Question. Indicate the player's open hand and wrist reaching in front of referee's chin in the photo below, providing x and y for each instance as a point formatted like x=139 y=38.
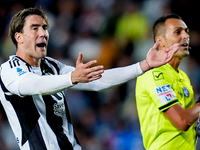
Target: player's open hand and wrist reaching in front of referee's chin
x=156 y=58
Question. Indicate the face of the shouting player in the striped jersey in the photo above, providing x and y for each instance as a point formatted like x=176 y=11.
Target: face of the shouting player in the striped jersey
x=35 y=37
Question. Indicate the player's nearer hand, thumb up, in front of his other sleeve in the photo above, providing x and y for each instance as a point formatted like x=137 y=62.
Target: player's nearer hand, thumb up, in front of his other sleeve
x=86 y=72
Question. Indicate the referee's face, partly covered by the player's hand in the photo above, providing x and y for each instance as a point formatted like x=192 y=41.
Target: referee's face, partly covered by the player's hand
x=177 y=32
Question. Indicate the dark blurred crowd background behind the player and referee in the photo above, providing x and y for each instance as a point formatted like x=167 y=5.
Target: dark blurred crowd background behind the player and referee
x=116 y=33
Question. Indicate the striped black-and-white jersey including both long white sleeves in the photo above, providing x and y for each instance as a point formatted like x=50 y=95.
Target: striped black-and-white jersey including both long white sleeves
x=35 y=104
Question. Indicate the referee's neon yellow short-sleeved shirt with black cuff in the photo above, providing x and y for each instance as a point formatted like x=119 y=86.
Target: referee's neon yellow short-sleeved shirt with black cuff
x=156 y=91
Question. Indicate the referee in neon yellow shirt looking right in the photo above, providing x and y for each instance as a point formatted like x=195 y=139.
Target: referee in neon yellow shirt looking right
x=164 y=95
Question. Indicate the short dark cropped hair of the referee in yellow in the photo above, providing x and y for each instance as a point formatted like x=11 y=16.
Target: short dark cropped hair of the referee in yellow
x=160 y=22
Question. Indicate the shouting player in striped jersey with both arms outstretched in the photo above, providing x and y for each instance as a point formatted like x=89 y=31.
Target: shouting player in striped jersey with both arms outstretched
x=32 y=84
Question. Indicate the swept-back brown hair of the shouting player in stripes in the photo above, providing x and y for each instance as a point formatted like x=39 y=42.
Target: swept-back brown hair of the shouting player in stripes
x=18 y=20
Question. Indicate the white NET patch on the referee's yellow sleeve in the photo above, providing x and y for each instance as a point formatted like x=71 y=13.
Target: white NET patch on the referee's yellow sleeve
x=165 y=93
